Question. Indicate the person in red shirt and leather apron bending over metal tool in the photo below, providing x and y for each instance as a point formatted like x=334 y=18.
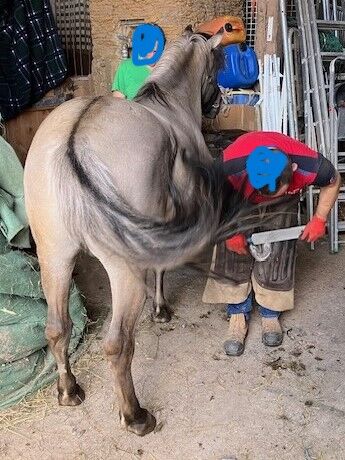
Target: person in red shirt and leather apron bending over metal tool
x=272 y=281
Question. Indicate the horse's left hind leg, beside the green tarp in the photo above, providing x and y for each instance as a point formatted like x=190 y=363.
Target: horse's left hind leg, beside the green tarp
x=57 y=262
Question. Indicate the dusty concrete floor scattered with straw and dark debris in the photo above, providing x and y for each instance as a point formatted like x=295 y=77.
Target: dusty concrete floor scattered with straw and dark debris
x=285 y=403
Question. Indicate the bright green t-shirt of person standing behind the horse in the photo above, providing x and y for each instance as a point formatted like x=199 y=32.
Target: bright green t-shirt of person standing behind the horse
x=129 y=78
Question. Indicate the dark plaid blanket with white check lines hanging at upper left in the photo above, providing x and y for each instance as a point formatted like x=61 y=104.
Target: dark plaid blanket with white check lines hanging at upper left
x=32 y=60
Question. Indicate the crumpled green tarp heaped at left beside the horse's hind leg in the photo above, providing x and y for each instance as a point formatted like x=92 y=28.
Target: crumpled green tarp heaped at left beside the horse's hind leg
x=25 y=362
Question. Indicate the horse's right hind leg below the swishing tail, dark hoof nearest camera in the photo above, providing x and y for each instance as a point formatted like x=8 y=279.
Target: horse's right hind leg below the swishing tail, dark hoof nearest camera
x=128 y=297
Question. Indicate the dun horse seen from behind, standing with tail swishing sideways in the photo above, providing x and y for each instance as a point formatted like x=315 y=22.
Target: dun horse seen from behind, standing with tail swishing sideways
x=134 y=184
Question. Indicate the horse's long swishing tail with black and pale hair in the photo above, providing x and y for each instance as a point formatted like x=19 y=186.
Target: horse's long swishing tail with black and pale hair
x=93 y=209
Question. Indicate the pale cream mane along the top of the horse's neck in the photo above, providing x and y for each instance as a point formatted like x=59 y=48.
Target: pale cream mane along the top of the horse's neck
x=168 y=71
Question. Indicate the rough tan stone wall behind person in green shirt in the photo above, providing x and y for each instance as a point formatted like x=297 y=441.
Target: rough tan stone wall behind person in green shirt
x=171 y=15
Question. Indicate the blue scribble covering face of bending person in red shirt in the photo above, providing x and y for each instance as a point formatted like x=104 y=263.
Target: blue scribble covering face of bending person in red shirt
x=264 y=166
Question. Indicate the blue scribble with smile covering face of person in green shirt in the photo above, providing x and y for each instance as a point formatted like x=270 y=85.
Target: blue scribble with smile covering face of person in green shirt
x=147 y=44
